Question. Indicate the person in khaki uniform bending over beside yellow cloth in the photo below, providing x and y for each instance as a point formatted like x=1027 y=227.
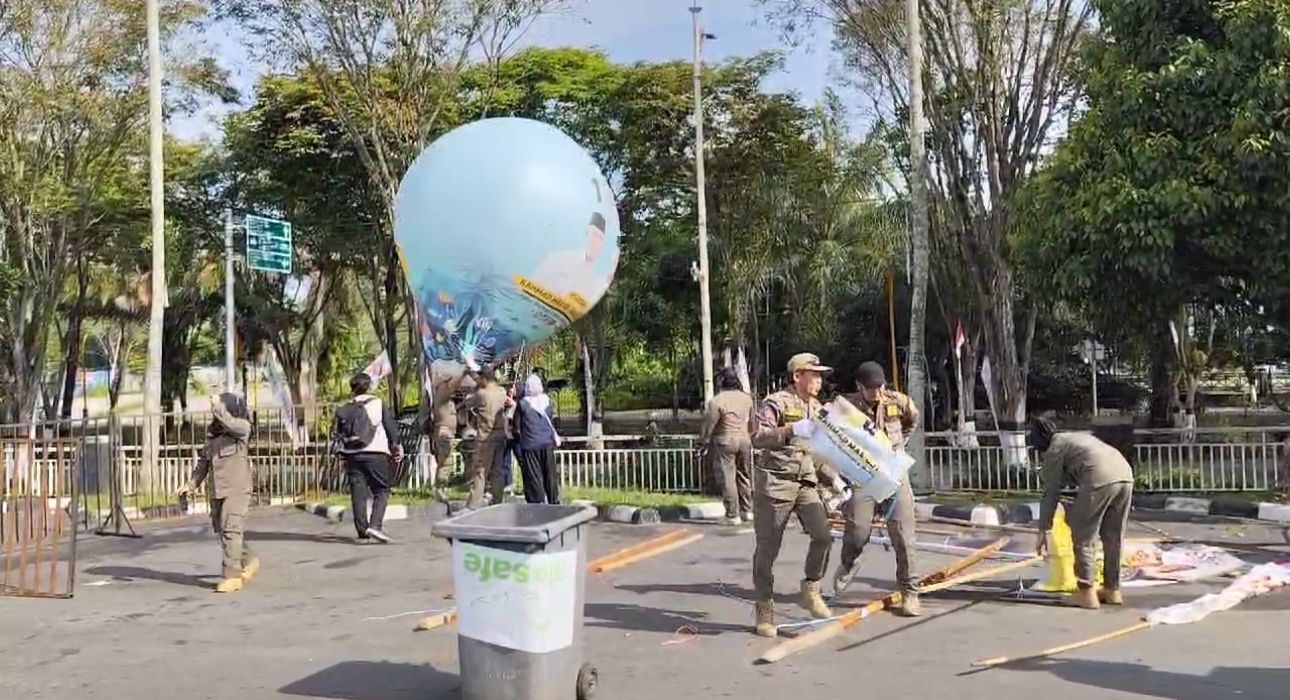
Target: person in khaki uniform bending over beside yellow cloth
x=1105 y=493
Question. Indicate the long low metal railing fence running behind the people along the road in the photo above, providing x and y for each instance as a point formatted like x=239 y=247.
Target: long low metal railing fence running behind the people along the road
x=295 y=465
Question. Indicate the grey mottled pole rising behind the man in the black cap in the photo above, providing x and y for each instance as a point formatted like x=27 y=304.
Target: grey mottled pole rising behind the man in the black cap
x=920 y=476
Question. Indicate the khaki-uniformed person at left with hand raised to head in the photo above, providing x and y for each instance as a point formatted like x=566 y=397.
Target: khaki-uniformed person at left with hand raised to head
x=226 y=463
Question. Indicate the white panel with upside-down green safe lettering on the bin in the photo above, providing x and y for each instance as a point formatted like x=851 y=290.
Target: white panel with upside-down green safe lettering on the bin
x=514 y=600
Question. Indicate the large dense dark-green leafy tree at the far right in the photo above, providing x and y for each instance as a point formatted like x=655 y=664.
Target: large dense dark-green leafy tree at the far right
x=1175 y=175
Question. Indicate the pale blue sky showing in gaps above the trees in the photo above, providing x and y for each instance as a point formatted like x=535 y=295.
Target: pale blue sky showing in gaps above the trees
x=628 y=30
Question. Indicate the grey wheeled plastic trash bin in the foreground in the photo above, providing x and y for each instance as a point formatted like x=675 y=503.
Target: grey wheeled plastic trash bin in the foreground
x=519 y=572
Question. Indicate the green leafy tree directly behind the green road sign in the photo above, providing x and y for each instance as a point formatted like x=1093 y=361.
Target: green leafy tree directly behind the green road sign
x=290 y=157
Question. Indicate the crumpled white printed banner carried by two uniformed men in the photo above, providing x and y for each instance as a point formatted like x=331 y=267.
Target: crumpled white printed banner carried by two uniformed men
x=848 y=440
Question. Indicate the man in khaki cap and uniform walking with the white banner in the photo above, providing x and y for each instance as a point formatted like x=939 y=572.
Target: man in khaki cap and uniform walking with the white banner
x=788 y=483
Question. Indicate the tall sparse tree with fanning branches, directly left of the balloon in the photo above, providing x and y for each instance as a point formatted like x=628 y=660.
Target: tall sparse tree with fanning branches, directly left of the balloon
x=390 y=70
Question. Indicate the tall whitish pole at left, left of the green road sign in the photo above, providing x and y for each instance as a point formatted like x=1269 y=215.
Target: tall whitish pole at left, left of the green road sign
x=157 y=316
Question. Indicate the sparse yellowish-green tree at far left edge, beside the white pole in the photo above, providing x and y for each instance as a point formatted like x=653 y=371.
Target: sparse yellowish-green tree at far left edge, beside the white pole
x=73 y=102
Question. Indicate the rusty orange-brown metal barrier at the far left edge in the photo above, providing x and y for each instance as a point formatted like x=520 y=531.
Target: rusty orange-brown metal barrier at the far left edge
x=38 y=514
